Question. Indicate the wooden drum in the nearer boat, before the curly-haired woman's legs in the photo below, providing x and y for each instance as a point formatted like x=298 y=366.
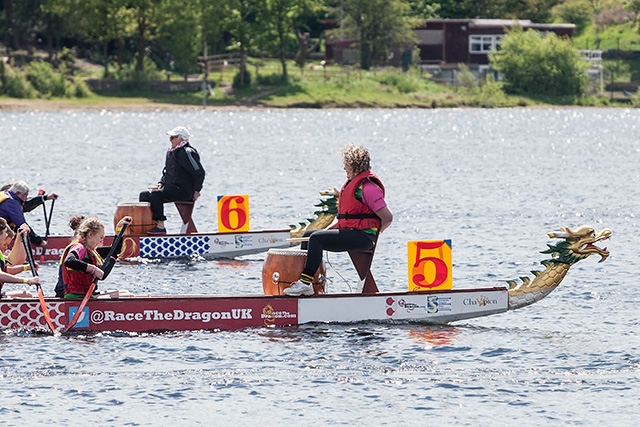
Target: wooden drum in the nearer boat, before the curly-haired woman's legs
x=283 y=266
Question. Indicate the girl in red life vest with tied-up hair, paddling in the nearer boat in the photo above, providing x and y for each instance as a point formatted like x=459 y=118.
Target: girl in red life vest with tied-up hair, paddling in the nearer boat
x=82 y=258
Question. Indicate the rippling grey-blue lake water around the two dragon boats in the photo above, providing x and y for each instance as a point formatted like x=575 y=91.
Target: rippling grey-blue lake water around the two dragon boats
x=493 y=181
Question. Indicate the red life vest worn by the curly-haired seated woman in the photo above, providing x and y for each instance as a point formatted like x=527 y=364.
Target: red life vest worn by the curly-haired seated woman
x=352 y=213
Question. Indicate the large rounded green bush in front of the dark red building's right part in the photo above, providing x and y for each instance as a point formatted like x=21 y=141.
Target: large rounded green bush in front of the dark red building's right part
x=540 y=65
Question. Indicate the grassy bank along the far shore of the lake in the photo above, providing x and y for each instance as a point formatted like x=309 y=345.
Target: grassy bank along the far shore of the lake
x=314 y=87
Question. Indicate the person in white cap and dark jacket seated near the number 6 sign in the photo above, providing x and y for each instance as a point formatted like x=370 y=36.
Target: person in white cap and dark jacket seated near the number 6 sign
x=182 y=178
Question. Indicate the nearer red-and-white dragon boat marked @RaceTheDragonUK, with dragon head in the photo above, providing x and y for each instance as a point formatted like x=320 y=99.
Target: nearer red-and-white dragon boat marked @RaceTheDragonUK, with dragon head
x=122 y=311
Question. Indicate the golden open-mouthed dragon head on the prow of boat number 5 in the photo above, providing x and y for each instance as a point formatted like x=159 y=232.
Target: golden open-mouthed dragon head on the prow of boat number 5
x=577 y=245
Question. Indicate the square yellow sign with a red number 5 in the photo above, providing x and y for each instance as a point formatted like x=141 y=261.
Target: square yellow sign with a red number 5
x=429 y=265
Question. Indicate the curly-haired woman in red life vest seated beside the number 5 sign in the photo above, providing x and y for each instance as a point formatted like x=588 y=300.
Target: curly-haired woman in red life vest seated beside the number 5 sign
x=362 y=215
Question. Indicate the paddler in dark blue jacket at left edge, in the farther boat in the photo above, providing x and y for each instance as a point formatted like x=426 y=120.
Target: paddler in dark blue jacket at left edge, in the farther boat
x=14 y=202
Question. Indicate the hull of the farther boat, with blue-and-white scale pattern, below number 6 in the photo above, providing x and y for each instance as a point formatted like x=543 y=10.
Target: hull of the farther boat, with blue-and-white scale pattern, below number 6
x=206 y=245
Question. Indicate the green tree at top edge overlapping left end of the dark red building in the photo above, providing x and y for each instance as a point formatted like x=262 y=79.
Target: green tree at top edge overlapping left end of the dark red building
x=378 y=25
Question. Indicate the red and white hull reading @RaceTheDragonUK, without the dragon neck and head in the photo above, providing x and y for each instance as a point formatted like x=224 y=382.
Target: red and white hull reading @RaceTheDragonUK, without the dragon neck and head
x=207 y=312
